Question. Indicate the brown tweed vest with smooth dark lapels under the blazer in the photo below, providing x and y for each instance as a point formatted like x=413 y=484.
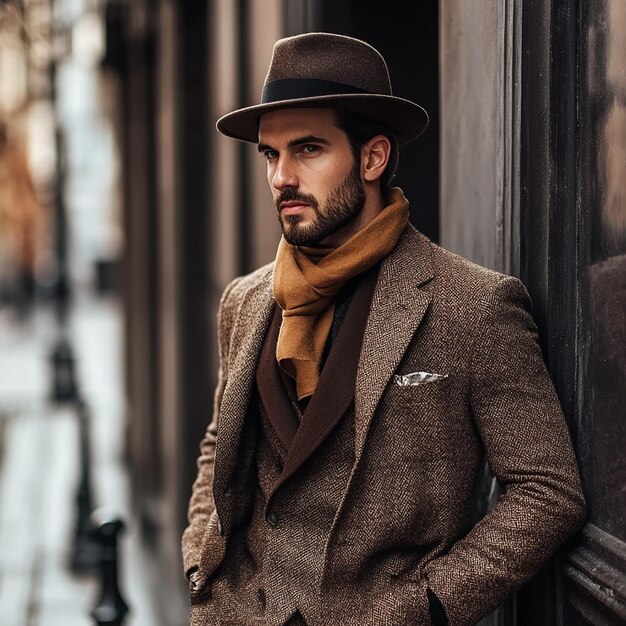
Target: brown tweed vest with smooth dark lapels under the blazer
x=262 y=578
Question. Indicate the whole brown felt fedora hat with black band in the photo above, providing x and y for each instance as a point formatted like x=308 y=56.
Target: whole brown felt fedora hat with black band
x=327 y=70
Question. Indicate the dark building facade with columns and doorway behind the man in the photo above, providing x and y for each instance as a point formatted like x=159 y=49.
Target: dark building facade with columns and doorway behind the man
x=522 y=170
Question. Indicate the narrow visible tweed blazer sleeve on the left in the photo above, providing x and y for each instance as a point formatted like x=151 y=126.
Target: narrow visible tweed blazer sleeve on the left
x=201 y=504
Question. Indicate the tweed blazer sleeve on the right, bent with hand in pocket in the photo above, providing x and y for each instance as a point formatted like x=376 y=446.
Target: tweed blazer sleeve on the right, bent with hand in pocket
x=528 y=446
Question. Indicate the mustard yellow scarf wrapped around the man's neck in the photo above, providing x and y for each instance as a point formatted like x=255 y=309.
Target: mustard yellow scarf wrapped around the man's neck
x=305 y=285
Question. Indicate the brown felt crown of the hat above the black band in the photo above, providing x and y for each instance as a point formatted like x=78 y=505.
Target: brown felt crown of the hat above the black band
x=329 y=57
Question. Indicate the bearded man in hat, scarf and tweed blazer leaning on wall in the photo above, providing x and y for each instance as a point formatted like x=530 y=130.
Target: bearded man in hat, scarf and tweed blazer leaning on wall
x=363 y=376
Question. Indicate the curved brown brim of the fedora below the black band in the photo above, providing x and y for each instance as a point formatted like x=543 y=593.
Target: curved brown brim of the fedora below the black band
x=405 y=118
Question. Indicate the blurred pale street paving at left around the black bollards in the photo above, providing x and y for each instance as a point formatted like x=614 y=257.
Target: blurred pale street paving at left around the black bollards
x=39 y=469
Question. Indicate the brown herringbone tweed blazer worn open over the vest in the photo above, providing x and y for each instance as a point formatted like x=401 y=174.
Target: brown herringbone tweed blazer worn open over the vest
x=402 y=522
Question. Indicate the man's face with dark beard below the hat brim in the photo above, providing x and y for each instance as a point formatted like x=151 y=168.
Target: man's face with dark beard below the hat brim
x=315 y=180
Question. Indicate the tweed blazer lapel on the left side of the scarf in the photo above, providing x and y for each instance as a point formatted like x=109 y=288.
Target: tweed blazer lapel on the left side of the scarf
x=249 y=330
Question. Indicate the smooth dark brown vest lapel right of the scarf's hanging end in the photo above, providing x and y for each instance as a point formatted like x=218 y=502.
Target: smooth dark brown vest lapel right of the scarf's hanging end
x=335 y=389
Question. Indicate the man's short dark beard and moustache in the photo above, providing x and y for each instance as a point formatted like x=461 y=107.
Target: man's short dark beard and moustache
x=340 y=211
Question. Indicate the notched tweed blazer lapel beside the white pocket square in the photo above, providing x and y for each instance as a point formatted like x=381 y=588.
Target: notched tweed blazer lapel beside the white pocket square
x=398 y=306
